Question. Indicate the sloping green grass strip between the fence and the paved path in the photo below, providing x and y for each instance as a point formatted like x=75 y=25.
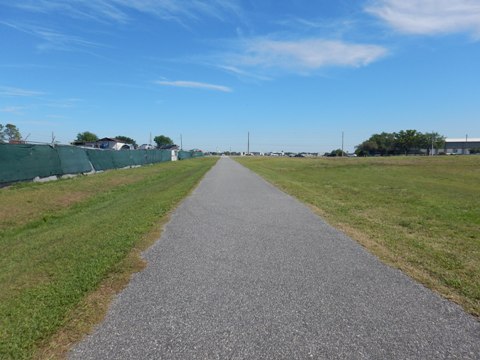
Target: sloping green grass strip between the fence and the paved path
x=66 y=247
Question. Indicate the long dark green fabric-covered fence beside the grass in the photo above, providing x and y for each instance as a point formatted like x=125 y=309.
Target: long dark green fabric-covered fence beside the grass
x=20 y=162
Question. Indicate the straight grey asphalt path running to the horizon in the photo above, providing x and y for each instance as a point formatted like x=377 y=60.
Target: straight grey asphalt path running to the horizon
x=244 y=271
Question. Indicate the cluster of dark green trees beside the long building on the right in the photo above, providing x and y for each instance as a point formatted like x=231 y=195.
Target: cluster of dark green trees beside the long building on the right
x=400 y=143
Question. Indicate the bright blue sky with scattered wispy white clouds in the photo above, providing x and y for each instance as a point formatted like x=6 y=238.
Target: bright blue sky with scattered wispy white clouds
x=295 y=74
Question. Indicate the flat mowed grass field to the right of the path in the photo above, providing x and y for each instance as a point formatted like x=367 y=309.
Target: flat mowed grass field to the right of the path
x=420 y=214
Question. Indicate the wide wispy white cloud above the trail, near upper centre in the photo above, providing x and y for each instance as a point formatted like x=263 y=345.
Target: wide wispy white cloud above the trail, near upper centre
x=302 y=56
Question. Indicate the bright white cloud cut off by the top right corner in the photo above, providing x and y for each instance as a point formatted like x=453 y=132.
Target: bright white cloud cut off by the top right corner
x=429 y=17
